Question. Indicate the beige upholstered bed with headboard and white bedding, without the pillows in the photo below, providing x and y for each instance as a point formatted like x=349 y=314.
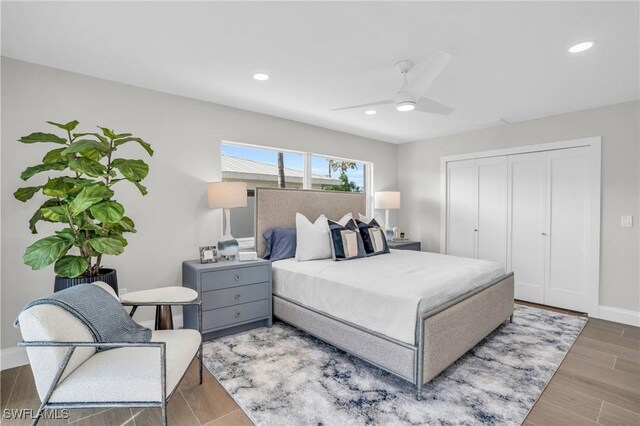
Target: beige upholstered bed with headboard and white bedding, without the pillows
x=378 y=308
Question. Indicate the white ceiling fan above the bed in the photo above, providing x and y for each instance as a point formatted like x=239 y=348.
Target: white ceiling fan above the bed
x=411 y=95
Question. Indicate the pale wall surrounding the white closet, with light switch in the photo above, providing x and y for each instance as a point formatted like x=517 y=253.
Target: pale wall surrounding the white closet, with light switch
x=619 y=126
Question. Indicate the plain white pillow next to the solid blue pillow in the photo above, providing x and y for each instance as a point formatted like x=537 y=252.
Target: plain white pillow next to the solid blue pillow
x=313 y=241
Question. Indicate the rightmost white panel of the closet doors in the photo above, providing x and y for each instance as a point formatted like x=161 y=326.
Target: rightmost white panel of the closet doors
x=567 y=241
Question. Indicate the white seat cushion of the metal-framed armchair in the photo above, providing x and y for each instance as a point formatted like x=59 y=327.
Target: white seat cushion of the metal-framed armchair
x=130 y=374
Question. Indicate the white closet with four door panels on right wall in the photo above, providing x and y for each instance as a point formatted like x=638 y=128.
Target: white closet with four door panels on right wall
x=534 y=212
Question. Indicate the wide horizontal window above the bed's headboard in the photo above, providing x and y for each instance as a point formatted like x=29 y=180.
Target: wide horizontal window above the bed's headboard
x=274 y=168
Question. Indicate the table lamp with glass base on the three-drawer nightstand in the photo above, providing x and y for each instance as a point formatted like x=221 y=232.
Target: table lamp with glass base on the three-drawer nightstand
x=226 y=196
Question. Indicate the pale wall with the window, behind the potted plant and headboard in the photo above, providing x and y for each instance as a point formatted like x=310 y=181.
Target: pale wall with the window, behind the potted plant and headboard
x=173 y=220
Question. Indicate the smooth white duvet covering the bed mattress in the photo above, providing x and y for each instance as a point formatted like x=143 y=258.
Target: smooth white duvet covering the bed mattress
x=382 y=293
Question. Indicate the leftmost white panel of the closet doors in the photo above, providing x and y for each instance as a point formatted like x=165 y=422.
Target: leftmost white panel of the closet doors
x=461 y=208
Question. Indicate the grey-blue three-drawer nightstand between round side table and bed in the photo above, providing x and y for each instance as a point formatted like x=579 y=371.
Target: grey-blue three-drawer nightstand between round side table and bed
x=236 y=296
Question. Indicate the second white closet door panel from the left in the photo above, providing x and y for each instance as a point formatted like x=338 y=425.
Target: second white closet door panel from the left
x=491 y=176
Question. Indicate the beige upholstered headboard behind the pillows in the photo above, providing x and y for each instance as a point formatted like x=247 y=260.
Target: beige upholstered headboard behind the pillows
x=276 y=208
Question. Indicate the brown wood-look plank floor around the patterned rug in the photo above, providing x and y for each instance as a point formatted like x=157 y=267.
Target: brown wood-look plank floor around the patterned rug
x=597 y=383
